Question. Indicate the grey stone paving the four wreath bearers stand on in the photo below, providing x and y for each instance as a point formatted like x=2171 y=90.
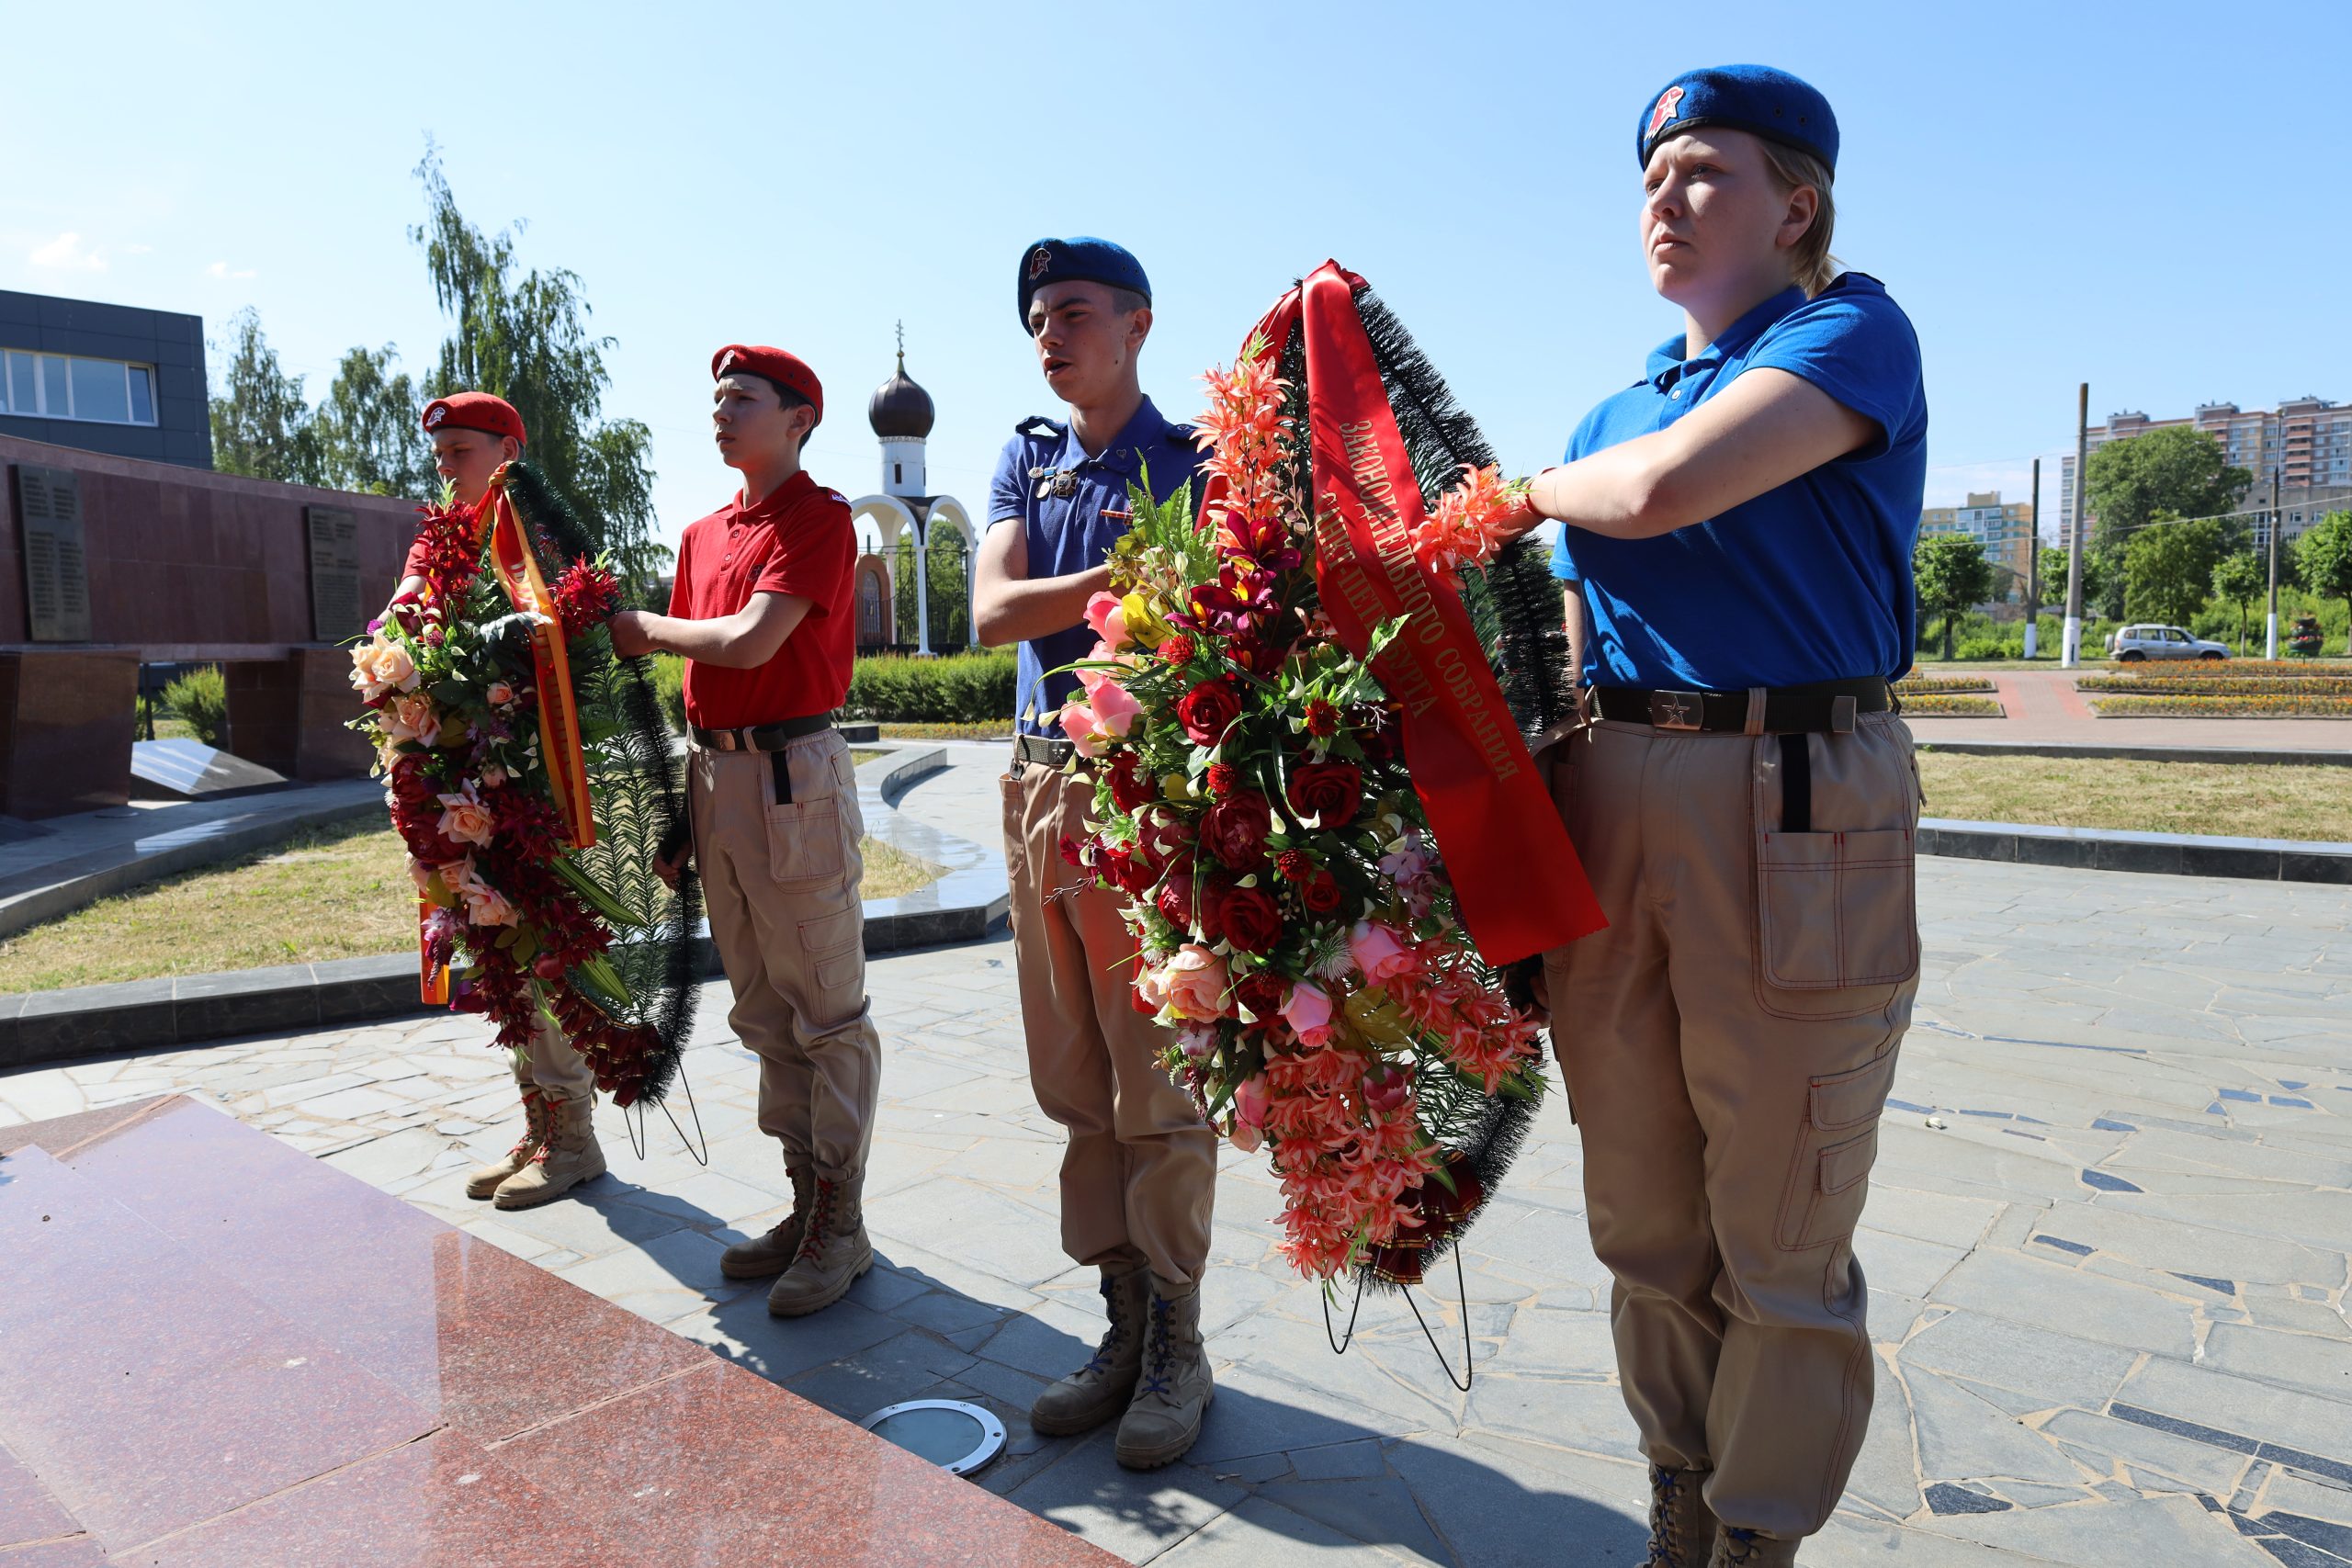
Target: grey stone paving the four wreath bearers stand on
x=2106 y=1247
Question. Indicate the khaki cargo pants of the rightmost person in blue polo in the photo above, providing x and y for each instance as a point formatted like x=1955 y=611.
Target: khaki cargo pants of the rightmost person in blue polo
x=1728 y=1045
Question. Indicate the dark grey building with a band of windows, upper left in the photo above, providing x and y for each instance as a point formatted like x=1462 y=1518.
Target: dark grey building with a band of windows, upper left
x=105 y=380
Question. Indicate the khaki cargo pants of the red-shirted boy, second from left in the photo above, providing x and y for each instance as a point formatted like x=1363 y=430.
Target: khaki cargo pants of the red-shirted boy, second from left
x=787 y=916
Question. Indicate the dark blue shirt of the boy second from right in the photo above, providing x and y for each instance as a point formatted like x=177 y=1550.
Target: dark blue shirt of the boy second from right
x=1074 y=532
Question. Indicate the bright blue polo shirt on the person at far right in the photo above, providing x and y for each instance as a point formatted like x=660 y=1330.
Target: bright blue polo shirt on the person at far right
x=1805 y=584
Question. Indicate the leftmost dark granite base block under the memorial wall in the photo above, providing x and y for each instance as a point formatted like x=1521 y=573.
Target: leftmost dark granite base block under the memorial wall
x=67 y=725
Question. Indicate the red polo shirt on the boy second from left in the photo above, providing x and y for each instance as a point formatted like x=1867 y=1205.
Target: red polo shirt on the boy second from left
x=794 y=542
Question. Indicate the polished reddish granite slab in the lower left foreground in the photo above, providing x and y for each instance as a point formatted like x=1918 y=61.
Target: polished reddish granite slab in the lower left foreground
x=218 y=1351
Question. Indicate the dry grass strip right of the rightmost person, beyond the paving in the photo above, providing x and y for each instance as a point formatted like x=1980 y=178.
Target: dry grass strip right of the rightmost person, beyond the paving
x=2243 y=800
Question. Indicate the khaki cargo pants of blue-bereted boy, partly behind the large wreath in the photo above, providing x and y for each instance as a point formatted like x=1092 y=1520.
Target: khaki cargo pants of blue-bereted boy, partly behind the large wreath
x=1140 y=1174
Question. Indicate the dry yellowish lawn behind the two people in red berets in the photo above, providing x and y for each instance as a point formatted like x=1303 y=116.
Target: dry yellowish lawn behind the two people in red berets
x=326 y=894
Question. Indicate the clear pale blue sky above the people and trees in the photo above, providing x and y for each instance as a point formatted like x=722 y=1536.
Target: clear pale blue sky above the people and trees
x=2134 y=196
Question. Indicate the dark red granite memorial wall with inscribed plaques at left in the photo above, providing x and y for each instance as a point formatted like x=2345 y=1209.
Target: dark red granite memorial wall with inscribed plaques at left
x=112 y=563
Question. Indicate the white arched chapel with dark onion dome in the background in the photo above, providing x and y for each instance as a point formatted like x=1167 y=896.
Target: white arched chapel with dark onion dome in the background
x=907 y=509
